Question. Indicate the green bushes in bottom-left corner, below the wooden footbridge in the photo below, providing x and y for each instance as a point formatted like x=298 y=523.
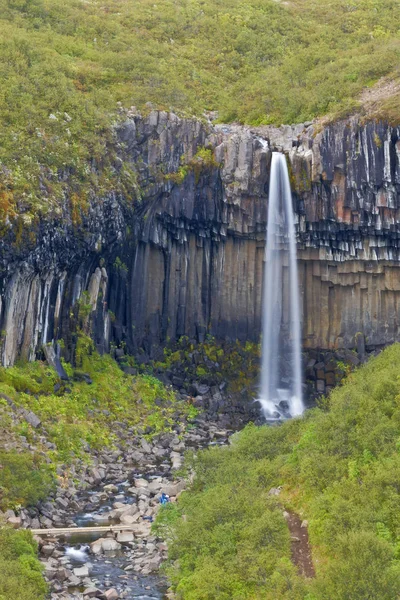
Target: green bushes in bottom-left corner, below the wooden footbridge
x=21 y=572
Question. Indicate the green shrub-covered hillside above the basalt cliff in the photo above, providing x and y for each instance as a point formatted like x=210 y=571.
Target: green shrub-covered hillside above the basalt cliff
x=64 y=66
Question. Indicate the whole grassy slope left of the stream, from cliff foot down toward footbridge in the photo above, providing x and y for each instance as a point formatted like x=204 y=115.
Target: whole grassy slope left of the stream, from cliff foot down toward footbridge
x=75 y=419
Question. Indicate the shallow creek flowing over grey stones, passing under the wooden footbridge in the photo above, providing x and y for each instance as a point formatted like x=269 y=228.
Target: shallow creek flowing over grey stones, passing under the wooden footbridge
x=112 y=565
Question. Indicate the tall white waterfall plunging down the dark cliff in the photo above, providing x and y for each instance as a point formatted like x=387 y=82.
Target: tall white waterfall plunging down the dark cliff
x=281 y=384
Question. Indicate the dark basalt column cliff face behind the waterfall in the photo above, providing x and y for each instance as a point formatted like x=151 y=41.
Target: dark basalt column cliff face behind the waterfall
x=188 y=258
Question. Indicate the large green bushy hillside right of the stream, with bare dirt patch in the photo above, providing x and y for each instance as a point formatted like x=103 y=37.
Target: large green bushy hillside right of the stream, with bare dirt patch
x=339 y=468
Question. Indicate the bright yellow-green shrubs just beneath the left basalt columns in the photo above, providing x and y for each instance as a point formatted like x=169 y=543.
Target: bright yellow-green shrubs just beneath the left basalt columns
x=81 y=413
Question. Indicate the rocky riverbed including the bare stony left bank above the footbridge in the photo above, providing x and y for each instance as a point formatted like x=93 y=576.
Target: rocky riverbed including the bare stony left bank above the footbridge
x=122 y=487
